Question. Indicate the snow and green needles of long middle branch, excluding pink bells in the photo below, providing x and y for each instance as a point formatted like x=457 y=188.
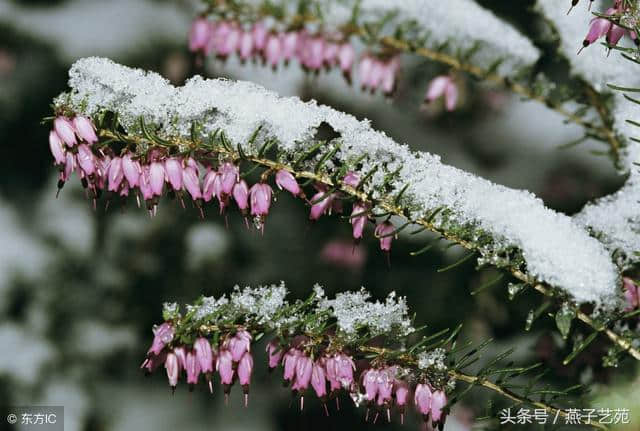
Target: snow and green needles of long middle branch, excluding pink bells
x=509 y=228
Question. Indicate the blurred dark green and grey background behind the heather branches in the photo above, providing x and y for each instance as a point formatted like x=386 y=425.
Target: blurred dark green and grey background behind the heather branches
x=80 y=289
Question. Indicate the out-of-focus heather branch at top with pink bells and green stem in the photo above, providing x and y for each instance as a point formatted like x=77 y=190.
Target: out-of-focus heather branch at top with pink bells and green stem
x=225 y=37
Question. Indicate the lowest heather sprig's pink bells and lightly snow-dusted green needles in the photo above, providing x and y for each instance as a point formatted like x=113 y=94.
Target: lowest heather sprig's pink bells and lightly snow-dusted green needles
x=311 y=346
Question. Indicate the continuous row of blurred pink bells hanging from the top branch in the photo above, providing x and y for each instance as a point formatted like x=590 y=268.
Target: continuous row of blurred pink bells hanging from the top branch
x=314 y=52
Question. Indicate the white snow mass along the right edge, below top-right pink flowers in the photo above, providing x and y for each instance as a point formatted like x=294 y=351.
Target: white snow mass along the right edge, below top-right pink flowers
x=614 y=219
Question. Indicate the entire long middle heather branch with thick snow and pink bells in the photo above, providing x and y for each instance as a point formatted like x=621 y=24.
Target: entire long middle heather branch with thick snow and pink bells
x=210 y=125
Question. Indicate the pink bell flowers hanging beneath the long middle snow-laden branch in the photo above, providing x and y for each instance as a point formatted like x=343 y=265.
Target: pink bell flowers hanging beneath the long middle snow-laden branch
x=151 y=174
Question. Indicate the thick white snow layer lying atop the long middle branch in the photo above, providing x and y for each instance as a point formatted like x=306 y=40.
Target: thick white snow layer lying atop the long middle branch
x=557 y=250
